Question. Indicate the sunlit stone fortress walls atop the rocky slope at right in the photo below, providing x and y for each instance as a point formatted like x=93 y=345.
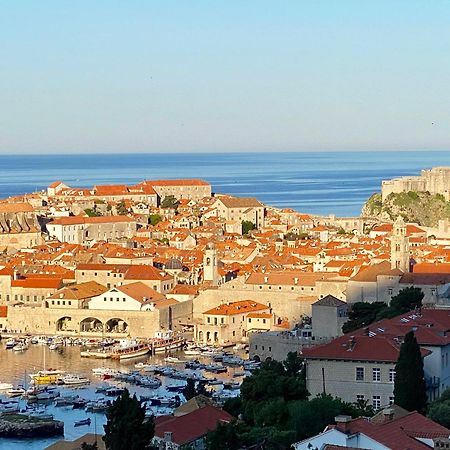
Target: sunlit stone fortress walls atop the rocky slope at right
x=435 y=181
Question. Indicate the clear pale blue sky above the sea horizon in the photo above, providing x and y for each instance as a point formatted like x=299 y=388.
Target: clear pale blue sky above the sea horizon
x=132 y=76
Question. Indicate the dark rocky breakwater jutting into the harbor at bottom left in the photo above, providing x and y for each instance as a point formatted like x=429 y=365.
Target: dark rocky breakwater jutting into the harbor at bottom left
x=20 y=426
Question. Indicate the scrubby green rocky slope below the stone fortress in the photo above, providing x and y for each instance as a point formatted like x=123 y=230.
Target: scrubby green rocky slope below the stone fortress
x=419 y=207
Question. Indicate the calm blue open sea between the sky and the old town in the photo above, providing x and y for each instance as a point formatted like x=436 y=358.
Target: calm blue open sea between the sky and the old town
x=315 y=182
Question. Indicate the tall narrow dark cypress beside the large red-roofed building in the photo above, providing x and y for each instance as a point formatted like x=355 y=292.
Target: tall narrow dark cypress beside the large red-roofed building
x=409 y=385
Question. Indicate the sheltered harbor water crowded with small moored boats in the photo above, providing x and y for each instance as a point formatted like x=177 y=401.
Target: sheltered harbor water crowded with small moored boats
x=77 y=390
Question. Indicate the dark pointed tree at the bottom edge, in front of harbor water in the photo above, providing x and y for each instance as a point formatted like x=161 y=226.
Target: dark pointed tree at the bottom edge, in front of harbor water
x=127 y=428
